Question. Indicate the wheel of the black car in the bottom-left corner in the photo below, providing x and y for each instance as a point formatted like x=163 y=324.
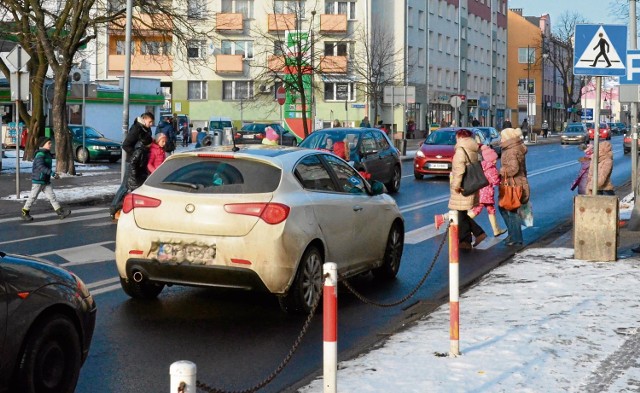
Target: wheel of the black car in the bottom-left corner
x=52 y=357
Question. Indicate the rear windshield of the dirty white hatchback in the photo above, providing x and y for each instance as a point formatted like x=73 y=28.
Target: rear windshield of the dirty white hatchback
x=216 y=176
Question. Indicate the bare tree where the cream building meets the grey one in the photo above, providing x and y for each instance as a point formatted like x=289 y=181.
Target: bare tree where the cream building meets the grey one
x=378 y=64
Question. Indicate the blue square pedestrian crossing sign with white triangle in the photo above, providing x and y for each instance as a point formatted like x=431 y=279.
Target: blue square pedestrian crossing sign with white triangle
x=600 y=50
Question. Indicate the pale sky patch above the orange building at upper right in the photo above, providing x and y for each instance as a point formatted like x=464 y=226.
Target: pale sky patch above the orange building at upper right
x=594 y=11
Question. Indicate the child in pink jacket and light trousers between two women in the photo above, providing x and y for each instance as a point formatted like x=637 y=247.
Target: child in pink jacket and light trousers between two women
x=487 y=193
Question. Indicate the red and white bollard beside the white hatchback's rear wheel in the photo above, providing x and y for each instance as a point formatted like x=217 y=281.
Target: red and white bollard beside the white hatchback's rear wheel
x=330 y=326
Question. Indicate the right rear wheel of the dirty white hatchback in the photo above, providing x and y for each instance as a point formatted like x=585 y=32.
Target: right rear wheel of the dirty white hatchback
x=307 y=285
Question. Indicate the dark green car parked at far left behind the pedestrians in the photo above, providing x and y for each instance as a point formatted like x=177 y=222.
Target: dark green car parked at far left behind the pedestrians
x=96 y=147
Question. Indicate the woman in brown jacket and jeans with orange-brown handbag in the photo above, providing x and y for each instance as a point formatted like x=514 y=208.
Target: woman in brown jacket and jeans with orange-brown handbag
x=514 y=167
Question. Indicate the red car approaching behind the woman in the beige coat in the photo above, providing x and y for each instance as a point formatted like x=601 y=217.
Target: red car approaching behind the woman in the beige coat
x=435 y=155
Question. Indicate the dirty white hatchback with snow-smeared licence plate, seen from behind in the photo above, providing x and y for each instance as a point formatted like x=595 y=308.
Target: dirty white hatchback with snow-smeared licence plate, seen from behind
x=259 y=218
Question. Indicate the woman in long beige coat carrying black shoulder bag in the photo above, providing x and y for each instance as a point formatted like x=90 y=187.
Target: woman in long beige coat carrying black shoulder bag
x=465 y=143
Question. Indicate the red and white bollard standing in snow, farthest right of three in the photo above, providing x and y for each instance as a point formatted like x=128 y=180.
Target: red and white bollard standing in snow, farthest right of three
x=454 y=285
